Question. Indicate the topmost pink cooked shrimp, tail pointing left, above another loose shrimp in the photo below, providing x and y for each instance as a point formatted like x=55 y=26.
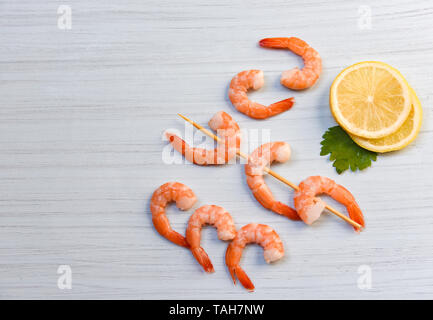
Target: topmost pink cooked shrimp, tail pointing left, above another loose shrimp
x=297 y=79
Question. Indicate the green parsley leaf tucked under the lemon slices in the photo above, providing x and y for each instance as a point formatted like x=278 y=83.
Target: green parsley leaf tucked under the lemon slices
x=344 y=152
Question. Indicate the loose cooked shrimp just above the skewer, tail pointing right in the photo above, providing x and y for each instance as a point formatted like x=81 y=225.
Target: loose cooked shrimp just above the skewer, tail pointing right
x=253 y=79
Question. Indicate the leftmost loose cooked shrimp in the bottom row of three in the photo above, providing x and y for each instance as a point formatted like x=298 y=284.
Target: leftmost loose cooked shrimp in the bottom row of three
x=170 y=191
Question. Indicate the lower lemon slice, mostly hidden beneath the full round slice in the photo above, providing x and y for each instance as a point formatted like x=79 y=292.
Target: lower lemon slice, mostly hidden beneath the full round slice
x=402 y=137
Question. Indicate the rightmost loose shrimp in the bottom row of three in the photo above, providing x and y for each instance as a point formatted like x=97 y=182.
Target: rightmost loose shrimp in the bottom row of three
x=252 y=233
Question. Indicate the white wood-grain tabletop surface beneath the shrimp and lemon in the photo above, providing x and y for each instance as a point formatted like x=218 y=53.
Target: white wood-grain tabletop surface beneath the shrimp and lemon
x=81 y=116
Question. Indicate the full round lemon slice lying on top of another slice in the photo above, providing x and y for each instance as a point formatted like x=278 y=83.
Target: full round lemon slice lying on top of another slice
x=370 y=99
